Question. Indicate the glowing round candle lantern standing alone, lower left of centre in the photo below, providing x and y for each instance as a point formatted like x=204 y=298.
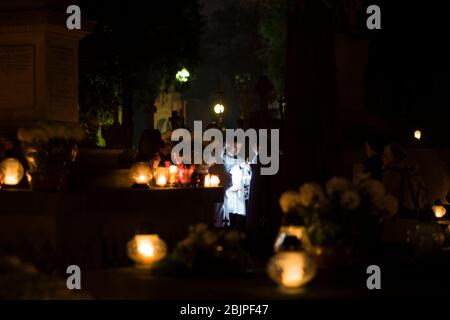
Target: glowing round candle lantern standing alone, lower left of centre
x=146 y=249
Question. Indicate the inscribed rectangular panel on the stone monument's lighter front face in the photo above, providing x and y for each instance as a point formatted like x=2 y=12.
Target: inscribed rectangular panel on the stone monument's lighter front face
x=16 y=76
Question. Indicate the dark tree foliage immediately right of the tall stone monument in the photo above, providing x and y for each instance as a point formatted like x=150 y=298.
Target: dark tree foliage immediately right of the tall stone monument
x=133 y=49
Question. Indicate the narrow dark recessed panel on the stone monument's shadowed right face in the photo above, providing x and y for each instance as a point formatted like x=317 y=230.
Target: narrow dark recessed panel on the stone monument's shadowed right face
x=62 y=76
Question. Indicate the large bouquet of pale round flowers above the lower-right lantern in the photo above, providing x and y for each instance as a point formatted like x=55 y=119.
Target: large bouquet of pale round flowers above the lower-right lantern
x=342 y=213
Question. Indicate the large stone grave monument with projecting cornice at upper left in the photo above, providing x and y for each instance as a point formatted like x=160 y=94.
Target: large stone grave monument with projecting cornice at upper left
x=38 y=68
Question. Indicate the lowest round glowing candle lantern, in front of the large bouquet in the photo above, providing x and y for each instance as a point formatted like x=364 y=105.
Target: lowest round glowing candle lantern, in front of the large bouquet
x=291 y=269
